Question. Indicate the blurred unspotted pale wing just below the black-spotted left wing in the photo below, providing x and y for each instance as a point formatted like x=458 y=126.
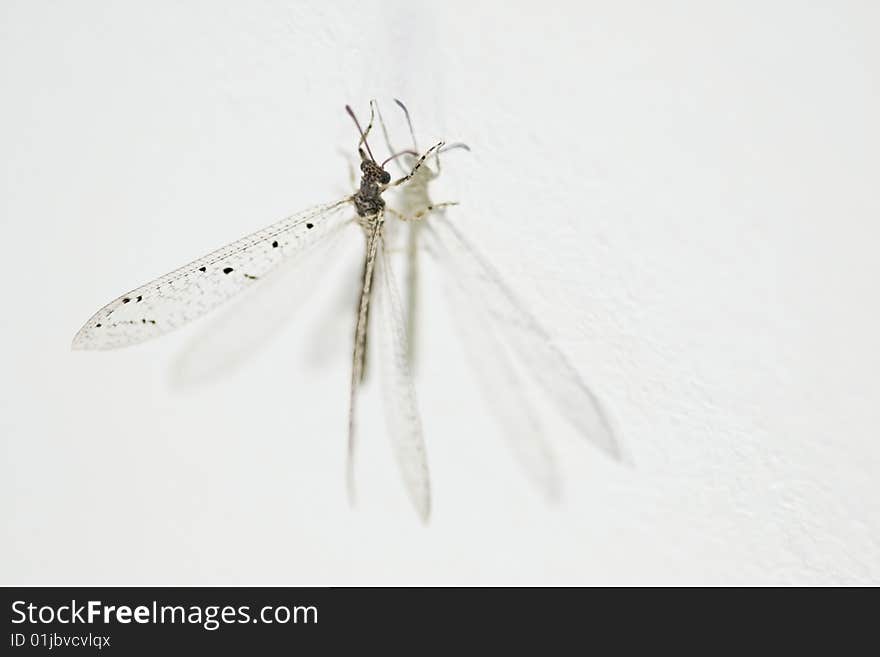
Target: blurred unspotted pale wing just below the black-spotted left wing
x=252 y=320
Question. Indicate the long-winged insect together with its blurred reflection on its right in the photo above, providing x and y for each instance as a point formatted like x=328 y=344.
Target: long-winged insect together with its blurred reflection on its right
x=204 y=284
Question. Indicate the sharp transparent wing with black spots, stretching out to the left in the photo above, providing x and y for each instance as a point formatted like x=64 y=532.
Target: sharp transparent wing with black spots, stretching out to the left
x=192 y=290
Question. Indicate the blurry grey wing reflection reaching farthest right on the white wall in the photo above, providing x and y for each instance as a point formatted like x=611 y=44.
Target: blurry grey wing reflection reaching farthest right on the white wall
x=527 y=339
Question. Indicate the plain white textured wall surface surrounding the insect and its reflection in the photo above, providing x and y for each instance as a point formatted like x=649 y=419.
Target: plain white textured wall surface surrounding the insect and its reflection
x=686 y=195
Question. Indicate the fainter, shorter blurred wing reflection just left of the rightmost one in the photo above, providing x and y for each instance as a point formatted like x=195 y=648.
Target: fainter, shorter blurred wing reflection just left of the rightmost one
x=502 y=388
